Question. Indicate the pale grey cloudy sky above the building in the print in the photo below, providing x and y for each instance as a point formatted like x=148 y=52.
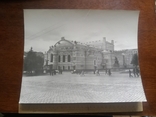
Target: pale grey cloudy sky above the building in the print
x=45 y=27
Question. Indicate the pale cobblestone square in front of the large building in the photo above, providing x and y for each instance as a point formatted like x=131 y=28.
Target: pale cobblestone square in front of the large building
x=73 y=88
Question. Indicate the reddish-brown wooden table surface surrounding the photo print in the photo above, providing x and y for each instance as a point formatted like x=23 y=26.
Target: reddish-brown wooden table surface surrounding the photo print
x=12 y=44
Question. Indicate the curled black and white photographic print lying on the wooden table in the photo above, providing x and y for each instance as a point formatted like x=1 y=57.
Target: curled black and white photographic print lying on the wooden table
x=74 y=56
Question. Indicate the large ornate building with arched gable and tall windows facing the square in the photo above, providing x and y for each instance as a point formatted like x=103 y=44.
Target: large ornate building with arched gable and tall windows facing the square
x=69 y=55
